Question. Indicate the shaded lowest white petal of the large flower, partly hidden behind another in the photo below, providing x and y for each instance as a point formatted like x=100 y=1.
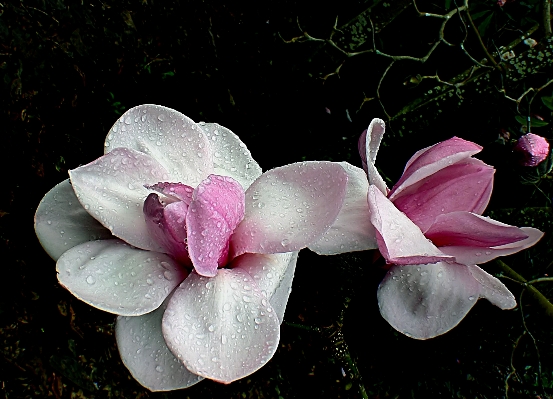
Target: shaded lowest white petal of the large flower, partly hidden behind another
x=146 y=355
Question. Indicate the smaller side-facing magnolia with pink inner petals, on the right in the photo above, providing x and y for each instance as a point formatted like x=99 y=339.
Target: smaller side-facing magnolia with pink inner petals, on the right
x=430 y=230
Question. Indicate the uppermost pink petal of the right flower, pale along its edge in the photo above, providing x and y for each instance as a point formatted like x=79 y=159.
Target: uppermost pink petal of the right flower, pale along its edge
x=432 y=159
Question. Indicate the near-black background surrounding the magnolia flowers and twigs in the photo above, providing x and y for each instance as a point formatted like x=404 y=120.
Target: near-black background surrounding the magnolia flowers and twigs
x=70 y=68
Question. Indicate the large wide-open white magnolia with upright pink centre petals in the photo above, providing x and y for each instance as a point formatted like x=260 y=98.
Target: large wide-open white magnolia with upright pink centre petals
x=176 y=230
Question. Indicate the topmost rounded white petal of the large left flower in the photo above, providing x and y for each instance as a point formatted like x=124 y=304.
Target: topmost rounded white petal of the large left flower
x=169 y=137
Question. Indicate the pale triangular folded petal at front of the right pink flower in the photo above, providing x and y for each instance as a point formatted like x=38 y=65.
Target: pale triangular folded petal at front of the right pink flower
x=400 y=241
